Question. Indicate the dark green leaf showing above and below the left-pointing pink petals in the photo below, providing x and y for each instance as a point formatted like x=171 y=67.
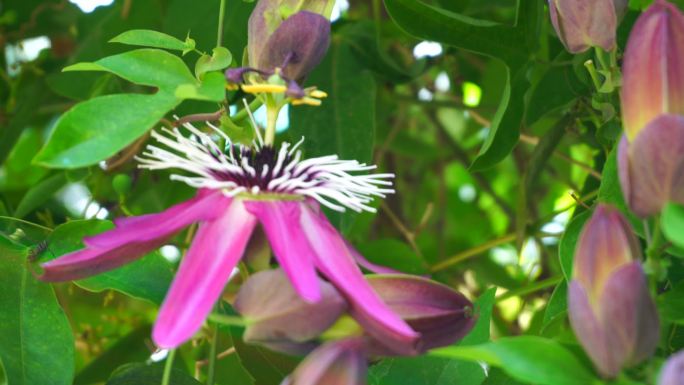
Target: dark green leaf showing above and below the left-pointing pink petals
x=147 y=278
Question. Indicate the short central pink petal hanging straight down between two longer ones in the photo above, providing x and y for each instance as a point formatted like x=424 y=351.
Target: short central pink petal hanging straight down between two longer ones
x=280 y=220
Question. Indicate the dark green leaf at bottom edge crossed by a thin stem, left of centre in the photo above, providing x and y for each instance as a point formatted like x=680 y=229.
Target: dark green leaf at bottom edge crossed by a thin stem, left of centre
x=141 y=374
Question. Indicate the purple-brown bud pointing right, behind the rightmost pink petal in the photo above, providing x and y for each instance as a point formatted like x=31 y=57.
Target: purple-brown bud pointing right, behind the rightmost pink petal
x=441 y=315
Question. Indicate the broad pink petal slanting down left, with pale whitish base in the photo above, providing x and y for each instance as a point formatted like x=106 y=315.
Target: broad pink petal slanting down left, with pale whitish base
x=205 y=270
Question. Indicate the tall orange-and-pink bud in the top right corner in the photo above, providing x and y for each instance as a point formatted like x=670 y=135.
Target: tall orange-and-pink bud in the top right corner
x=653 y=69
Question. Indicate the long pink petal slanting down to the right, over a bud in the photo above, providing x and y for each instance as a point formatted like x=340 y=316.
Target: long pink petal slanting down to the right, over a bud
x=335 y=261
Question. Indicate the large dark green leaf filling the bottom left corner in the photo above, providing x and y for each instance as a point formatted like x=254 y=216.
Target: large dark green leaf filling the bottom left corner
x=36 y=342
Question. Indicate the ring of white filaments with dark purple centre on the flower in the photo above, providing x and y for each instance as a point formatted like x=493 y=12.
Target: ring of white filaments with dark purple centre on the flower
x=263 y=170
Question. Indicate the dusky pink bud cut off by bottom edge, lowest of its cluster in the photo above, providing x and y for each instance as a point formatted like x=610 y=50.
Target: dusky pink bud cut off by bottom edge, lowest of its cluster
x=341 y=362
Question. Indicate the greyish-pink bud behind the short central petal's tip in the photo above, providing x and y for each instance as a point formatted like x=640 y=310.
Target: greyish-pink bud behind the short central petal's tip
x=279 y=318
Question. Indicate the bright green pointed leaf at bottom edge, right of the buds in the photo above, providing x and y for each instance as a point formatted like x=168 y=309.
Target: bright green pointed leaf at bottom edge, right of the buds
x=527 y=358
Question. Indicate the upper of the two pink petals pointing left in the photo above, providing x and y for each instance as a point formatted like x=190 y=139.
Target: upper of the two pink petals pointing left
x=152 y=226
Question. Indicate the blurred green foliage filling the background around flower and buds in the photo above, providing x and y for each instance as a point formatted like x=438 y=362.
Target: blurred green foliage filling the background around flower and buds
x=491 y=194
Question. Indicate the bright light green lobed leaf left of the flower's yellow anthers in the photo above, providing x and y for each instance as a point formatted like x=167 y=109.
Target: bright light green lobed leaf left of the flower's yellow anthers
x=99 y=128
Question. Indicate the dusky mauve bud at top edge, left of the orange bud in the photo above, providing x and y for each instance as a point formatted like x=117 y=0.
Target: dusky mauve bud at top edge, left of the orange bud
x=582 y=24
